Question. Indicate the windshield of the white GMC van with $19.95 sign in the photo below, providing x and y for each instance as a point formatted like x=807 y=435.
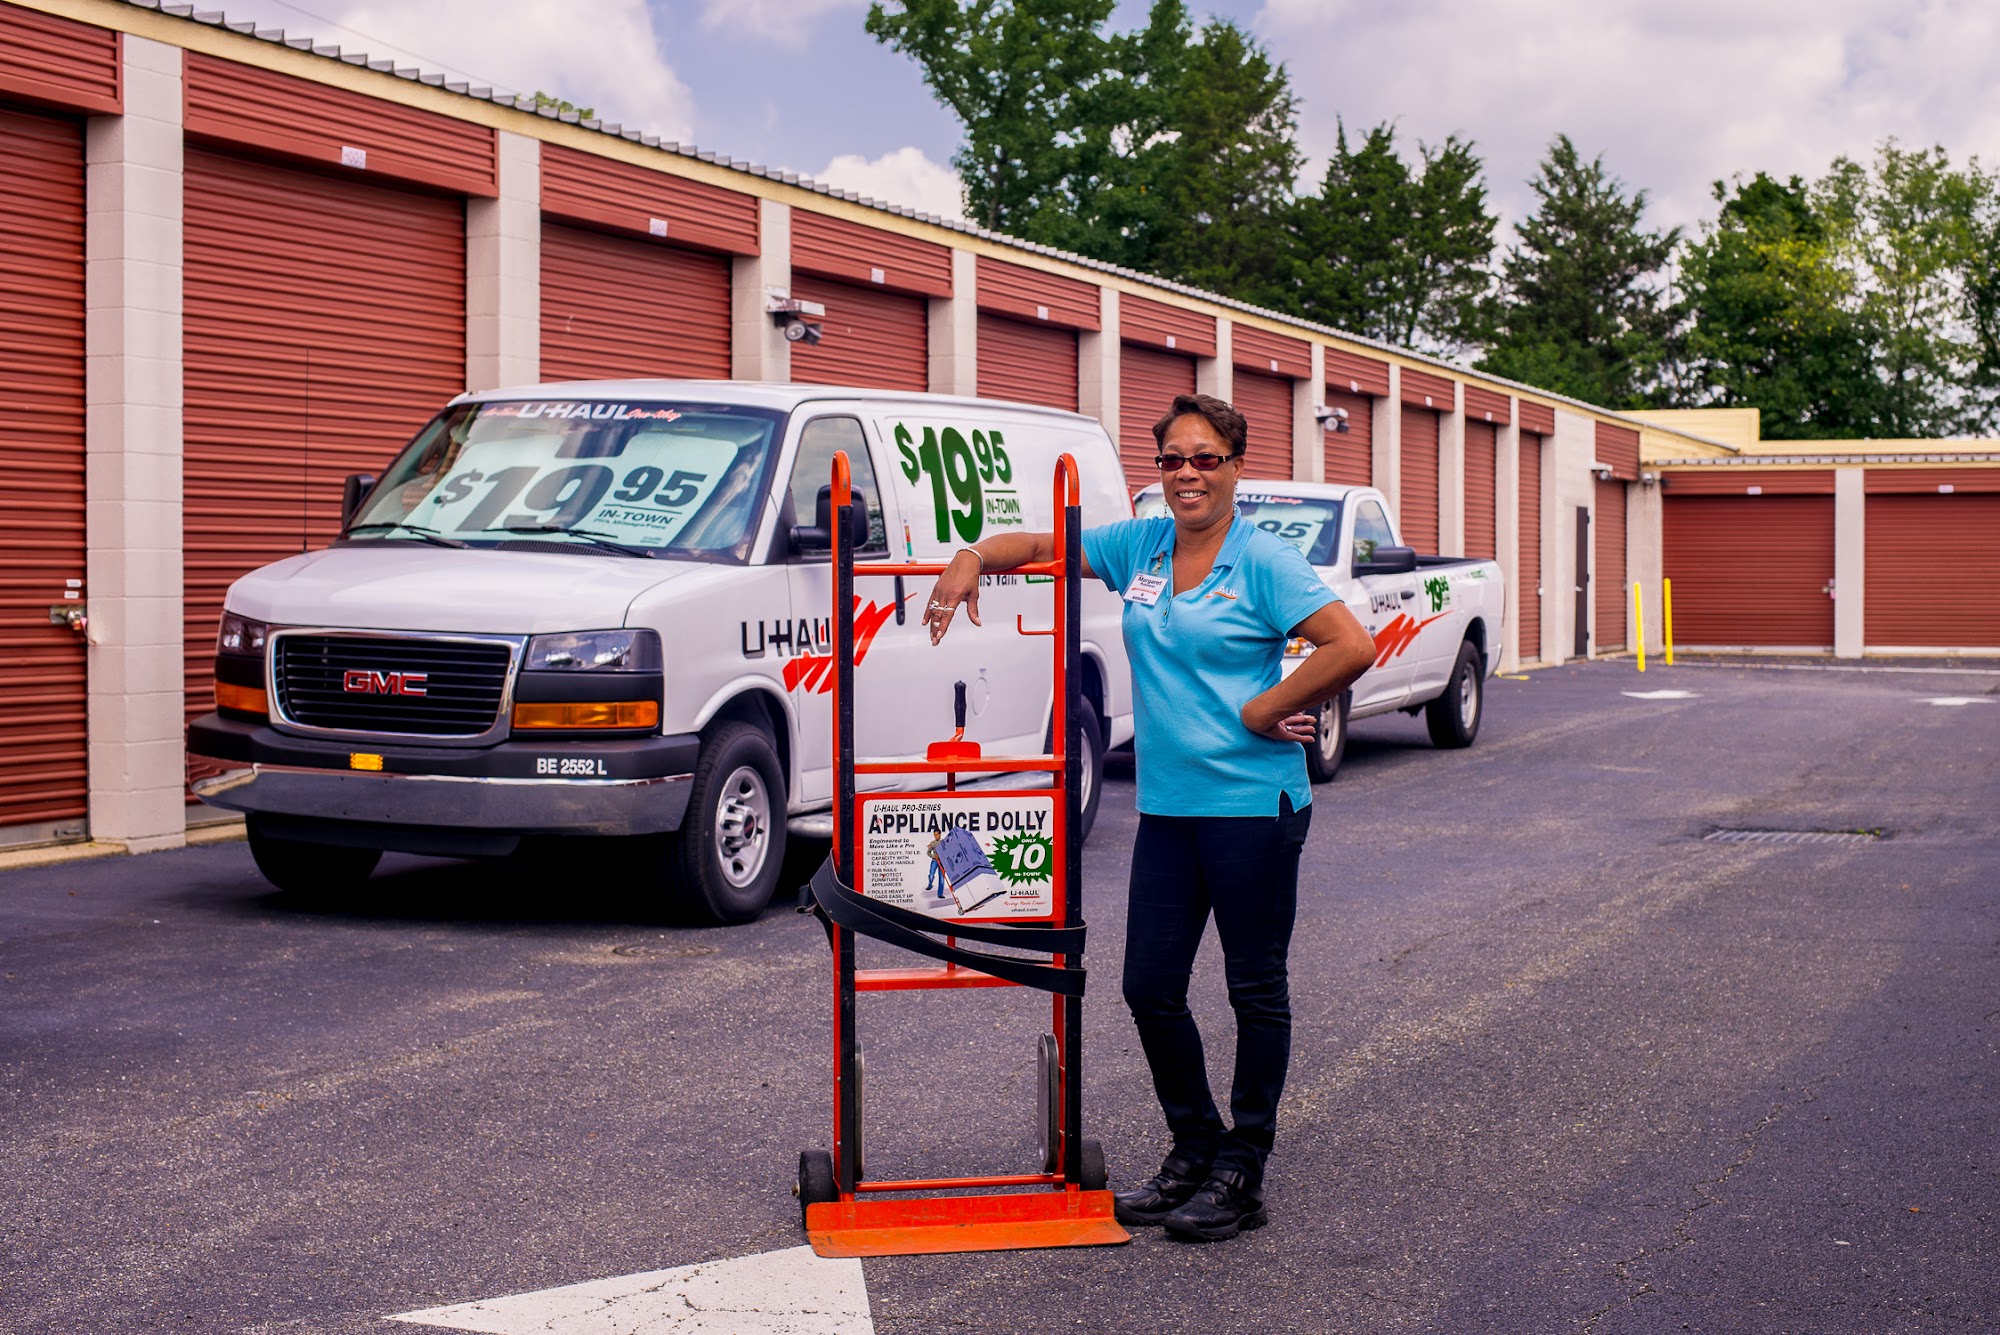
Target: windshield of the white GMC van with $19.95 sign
x=651 y=479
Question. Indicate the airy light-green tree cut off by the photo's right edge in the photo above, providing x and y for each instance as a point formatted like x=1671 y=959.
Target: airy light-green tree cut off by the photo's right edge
x=1917 y=237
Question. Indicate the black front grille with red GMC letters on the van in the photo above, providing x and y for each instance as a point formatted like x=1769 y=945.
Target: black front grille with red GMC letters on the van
x=465 y=684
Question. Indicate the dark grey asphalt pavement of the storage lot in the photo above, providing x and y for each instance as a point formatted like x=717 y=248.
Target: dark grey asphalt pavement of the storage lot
x=1563 y=1062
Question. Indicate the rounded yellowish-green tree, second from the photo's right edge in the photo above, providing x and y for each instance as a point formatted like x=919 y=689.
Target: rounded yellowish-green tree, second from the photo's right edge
x=1775 y=317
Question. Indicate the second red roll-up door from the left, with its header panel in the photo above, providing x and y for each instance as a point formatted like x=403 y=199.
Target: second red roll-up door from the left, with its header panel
x=325 y=311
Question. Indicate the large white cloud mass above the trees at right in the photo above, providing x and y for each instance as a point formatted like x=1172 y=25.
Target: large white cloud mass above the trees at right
x=1673 y=95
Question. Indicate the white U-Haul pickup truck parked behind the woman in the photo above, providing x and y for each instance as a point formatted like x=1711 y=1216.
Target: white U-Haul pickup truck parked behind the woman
x=1435 y=619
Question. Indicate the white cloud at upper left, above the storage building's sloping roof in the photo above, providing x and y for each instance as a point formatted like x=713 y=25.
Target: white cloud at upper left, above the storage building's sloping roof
x=611 y=63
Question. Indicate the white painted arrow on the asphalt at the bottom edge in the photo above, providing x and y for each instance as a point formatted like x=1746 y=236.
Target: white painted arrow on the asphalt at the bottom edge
x=775 y=1294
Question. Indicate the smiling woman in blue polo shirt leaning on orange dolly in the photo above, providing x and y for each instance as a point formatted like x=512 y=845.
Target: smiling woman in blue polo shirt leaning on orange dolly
x=1223 y=790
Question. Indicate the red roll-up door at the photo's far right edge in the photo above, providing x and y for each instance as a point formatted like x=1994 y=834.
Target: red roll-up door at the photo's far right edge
x=1945 y=545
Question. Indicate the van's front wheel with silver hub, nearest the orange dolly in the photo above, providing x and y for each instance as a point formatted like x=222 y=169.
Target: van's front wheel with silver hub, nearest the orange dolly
x=731 y=844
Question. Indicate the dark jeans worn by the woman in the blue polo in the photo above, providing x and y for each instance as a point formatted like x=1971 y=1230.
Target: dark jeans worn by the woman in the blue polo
x=1243 y=868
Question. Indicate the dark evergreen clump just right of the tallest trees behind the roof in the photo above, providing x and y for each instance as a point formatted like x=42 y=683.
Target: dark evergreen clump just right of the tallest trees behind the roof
x=1391 y=249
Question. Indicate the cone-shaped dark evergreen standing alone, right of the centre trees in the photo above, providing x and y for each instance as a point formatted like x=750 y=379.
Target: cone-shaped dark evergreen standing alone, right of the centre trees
x=1583 y=309
